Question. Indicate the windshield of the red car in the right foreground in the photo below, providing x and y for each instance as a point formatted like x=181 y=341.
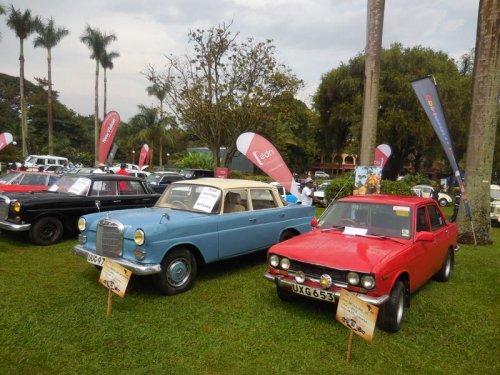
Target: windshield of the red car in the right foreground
x=368 y=218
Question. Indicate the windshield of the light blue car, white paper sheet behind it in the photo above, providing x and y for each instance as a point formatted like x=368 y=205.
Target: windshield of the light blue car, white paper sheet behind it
x=197 y=198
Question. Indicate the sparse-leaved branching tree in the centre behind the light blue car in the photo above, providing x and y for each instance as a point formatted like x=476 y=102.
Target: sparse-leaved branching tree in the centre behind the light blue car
x=225 y=88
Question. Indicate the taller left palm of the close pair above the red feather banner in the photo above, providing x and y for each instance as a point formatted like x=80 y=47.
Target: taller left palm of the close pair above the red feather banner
x=97 y=43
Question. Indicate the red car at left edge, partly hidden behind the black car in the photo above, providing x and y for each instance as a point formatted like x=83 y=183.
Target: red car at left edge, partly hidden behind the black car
x=20 y=181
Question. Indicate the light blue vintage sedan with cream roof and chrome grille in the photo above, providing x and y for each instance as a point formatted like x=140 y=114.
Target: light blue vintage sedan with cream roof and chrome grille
x=194 y=222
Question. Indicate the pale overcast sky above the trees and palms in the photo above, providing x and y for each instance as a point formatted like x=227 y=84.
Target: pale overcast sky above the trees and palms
x=311 y=37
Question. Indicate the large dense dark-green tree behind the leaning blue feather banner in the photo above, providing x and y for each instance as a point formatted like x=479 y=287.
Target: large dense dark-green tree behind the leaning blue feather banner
x=401 y=121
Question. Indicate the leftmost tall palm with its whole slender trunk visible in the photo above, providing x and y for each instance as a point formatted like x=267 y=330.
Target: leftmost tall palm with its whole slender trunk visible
x=23 y=24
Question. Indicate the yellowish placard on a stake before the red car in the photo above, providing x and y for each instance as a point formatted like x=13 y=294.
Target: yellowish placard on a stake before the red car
x=357 y=315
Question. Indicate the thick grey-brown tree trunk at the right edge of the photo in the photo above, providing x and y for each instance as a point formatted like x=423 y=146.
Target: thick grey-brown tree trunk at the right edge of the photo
x=483 y=123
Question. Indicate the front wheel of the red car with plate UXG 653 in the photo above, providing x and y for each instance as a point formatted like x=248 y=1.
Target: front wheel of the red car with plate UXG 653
x=391 y=314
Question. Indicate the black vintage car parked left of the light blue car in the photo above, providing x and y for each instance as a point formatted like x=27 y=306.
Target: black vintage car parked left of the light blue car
x=48 y=214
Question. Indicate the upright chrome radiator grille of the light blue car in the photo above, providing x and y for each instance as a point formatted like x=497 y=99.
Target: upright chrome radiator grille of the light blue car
x=109 y=238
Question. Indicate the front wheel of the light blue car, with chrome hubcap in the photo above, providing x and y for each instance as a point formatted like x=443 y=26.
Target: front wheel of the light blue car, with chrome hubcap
x=178 y=271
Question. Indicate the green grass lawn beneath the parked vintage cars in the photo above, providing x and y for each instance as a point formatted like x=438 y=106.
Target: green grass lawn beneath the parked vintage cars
x=53 y=321
